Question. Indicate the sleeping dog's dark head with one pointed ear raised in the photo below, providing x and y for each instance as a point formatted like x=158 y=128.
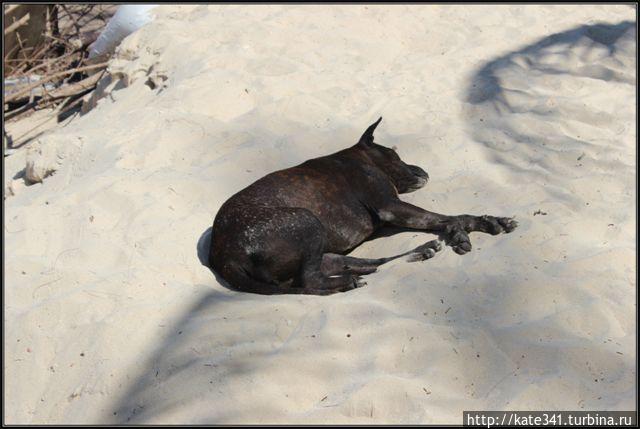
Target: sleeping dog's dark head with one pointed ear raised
x=405 y=177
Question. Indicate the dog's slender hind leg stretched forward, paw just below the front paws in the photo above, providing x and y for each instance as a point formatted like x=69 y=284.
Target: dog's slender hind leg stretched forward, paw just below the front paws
x=334 y=264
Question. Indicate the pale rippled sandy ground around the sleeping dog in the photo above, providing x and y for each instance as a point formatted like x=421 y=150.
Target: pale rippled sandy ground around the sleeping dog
x=110 y=317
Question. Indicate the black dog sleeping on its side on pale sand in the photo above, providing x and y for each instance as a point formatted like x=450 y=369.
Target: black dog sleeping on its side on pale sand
x=288 y=232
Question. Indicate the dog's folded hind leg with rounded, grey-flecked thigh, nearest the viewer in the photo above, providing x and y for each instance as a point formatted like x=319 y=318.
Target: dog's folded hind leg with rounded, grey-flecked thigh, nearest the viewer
x=281 y=254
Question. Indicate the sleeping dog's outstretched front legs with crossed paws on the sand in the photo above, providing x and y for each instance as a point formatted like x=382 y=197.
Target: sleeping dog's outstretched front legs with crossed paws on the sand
x=455 y=229
